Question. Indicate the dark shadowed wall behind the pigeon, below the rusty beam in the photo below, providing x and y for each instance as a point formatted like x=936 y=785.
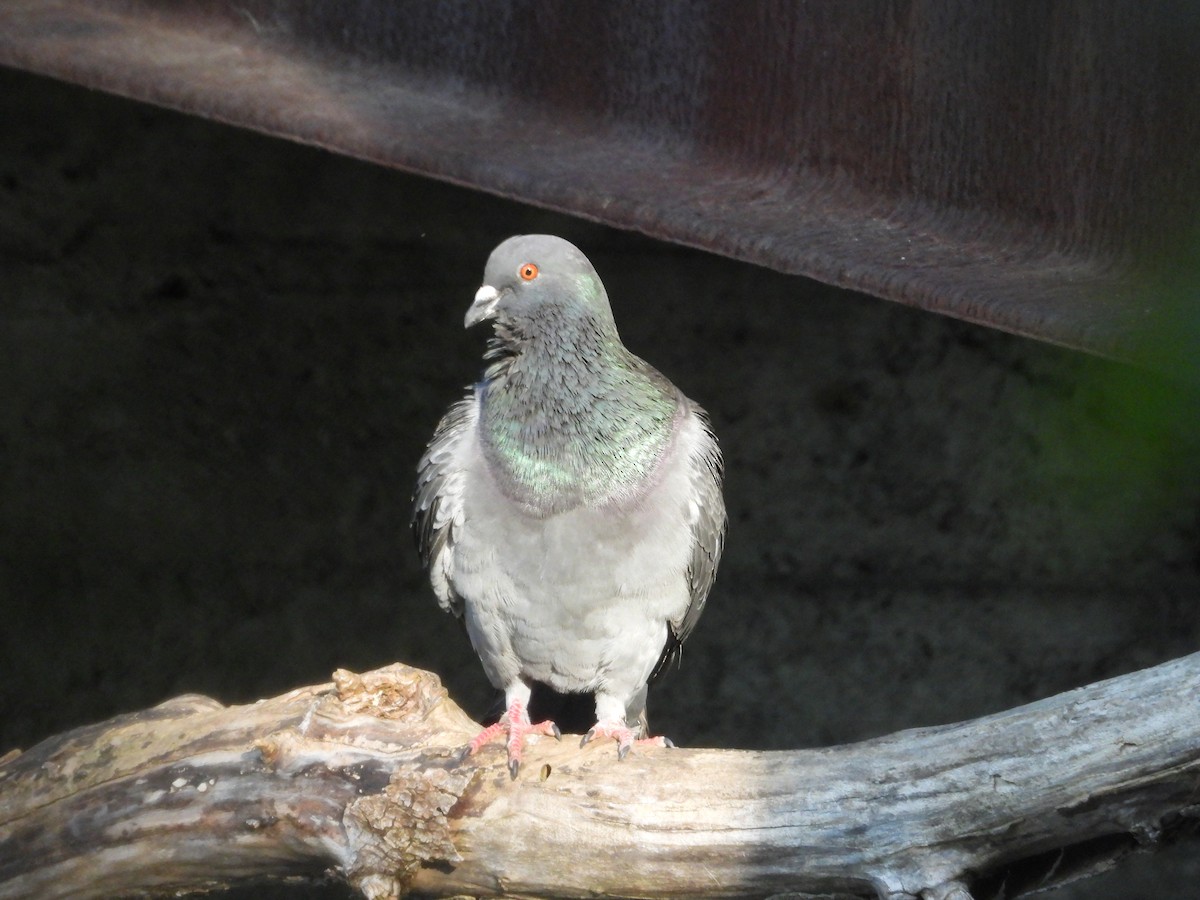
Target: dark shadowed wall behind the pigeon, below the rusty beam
x=221 y=357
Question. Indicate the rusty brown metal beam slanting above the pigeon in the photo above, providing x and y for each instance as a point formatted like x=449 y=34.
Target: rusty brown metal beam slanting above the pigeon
x=1006 y=164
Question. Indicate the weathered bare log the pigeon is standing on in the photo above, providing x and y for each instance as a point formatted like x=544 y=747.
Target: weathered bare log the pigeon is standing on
x=362 y=778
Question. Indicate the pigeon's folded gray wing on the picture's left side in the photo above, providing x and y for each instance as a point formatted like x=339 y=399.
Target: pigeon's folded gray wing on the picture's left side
x=437 y=502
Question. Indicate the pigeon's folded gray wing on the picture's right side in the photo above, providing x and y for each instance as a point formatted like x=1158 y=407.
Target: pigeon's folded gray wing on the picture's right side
x=707 y=521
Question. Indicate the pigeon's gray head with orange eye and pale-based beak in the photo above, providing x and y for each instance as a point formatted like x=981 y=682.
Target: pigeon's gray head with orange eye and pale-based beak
x=541 y=285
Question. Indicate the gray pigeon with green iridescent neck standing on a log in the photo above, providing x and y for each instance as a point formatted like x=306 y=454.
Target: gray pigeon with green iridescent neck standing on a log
x=569 y=508
